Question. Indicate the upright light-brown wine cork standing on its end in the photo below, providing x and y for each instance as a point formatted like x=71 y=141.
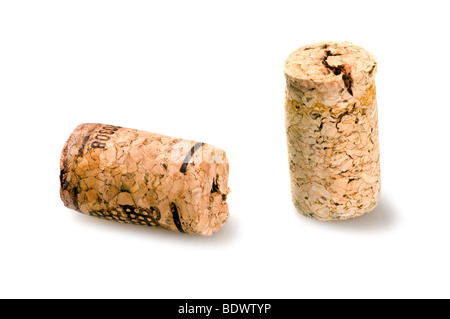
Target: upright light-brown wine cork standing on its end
x=332 y=130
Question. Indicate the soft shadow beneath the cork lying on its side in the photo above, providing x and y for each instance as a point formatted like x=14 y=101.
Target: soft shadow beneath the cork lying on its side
x=225 y=235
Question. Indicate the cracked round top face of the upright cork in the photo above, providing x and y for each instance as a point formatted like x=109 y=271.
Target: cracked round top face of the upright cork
x=330 y=62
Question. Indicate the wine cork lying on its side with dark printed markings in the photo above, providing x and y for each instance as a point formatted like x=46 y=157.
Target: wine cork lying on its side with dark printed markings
x=136 y=177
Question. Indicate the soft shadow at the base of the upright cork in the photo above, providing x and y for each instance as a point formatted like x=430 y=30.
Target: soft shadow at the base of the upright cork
x=382 y=218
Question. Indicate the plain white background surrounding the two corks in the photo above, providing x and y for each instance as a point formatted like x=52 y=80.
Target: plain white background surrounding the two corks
x=214 y=73
